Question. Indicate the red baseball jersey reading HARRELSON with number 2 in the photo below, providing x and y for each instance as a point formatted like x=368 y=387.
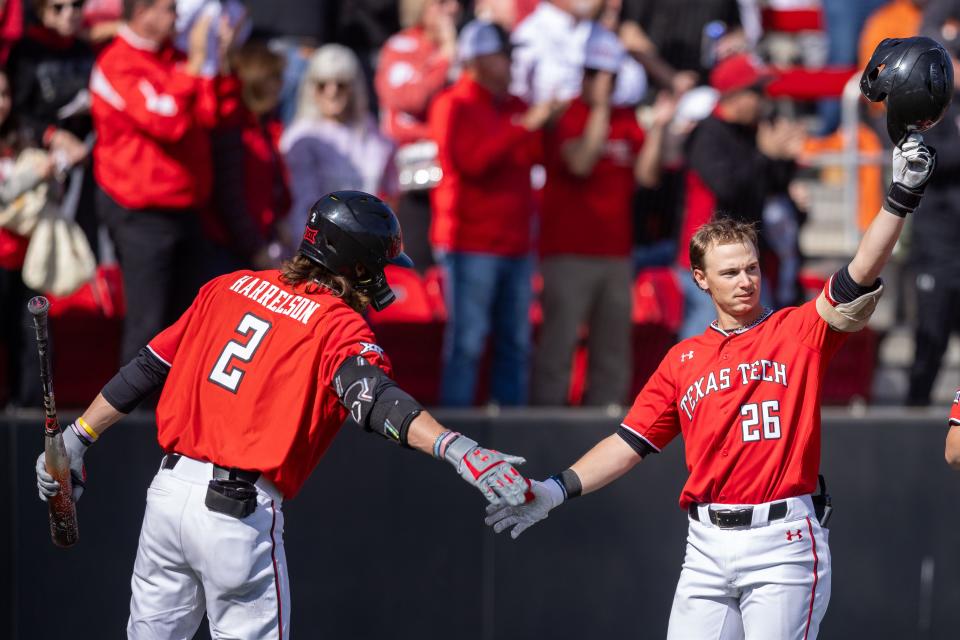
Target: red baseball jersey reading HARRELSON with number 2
x=251 y=369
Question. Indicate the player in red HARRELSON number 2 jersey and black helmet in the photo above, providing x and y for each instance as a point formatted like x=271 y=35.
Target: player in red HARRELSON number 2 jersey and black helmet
x=257 y=376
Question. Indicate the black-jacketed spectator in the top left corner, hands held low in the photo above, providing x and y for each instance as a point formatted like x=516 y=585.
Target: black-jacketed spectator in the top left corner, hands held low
x=50 y=70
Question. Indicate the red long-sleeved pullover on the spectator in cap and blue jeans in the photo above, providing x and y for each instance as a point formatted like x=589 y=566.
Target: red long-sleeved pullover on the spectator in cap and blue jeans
x=484 y=202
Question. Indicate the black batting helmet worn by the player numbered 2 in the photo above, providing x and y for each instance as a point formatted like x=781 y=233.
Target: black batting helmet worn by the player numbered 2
x=351 y=229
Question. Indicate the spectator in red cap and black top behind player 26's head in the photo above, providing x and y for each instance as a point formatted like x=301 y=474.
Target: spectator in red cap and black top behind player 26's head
x=736 y=160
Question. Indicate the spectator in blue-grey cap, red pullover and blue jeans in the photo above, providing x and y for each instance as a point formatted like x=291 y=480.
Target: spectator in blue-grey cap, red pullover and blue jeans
x=482 y=217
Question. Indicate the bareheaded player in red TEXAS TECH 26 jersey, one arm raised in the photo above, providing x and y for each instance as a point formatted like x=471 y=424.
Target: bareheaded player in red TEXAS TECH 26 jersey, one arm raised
x=745 y=397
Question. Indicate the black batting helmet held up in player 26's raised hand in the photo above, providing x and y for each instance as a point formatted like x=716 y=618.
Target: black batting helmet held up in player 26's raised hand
x=914 y=76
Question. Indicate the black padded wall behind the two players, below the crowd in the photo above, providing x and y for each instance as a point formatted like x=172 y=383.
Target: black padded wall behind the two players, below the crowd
x=385 y=543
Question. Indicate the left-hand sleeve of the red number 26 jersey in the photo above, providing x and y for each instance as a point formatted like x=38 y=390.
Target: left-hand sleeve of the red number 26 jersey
x=654 y=416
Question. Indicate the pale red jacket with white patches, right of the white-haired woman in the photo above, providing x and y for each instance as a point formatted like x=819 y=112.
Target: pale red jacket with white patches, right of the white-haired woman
x=410 y=73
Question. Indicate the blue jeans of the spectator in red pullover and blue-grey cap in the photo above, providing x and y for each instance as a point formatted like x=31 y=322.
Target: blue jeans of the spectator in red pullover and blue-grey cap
x=485 y=292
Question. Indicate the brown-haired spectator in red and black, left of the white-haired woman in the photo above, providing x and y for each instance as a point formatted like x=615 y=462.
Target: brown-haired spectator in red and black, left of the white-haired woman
x=250 y=193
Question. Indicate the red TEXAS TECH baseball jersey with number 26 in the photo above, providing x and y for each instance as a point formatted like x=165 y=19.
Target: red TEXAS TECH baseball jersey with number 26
x=747 y=404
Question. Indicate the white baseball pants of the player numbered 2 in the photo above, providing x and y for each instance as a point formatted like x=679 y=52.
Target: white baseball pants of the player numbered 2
x=192 y=560
